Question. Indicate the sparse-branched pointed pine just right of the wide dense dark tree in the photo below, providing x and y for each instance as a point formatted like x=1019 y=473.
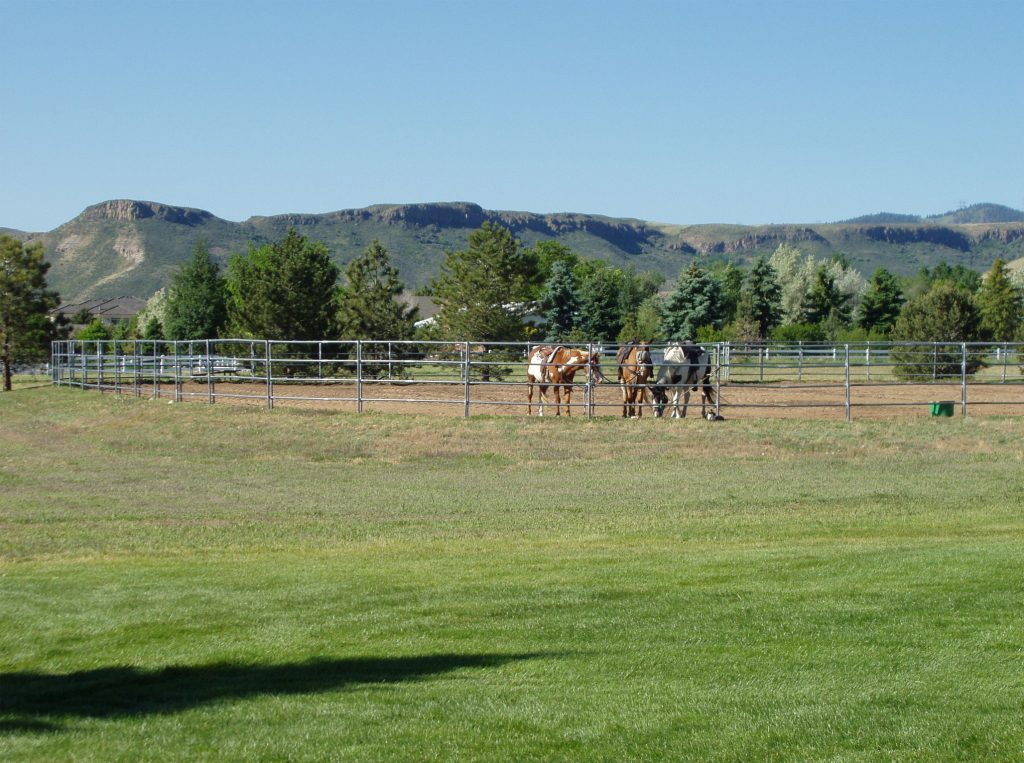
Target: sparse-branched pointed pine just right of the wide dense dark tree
x=370 y=306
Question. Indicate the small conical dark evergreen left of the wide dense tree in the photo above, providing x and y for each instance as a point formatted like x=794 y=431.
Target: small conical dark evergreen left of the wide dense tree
x=196 y=307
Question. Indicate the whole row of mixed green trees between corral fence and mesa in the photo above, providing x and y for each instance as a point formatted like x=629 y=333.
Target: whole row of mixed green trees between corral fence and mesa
x=292 y=290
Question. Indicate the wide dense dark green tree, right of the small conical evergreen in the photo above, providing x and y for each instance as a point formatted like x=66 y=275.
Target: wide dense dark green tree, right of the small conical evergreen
x=286 y=290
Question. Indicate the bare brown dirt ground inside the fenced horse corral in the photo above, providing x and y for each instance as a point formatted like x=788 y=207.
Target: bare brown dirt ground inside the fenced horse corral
x=738 y=401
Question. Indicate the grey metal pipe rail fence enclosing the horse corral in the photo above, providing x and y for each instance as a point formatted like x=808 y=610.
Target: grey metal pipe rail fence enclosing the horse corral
x=748 y=378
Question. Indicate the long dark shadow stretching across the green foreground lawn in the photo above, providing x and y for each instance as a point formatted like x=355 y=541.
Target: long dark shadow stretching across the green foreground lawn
x=30 y=701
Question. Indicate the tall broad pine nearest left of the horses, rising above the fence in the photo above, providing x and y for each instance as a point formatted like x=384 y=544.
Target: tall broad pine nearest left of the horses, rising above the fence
x=483 y=290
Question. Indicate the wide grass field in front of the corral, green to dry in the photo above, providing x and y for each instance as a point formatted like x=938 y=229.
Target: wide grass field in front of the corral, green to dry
x=187 y=582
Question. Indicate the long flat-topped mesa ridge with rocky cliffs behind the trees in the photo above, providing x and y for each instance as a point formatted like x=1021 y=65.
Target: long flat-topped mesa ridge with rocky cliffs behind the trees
x=126 y=247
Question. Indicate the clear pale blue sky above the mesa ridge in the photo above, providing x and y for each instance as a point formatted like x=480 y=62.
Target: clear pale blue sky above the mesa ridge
x=676 y=112
